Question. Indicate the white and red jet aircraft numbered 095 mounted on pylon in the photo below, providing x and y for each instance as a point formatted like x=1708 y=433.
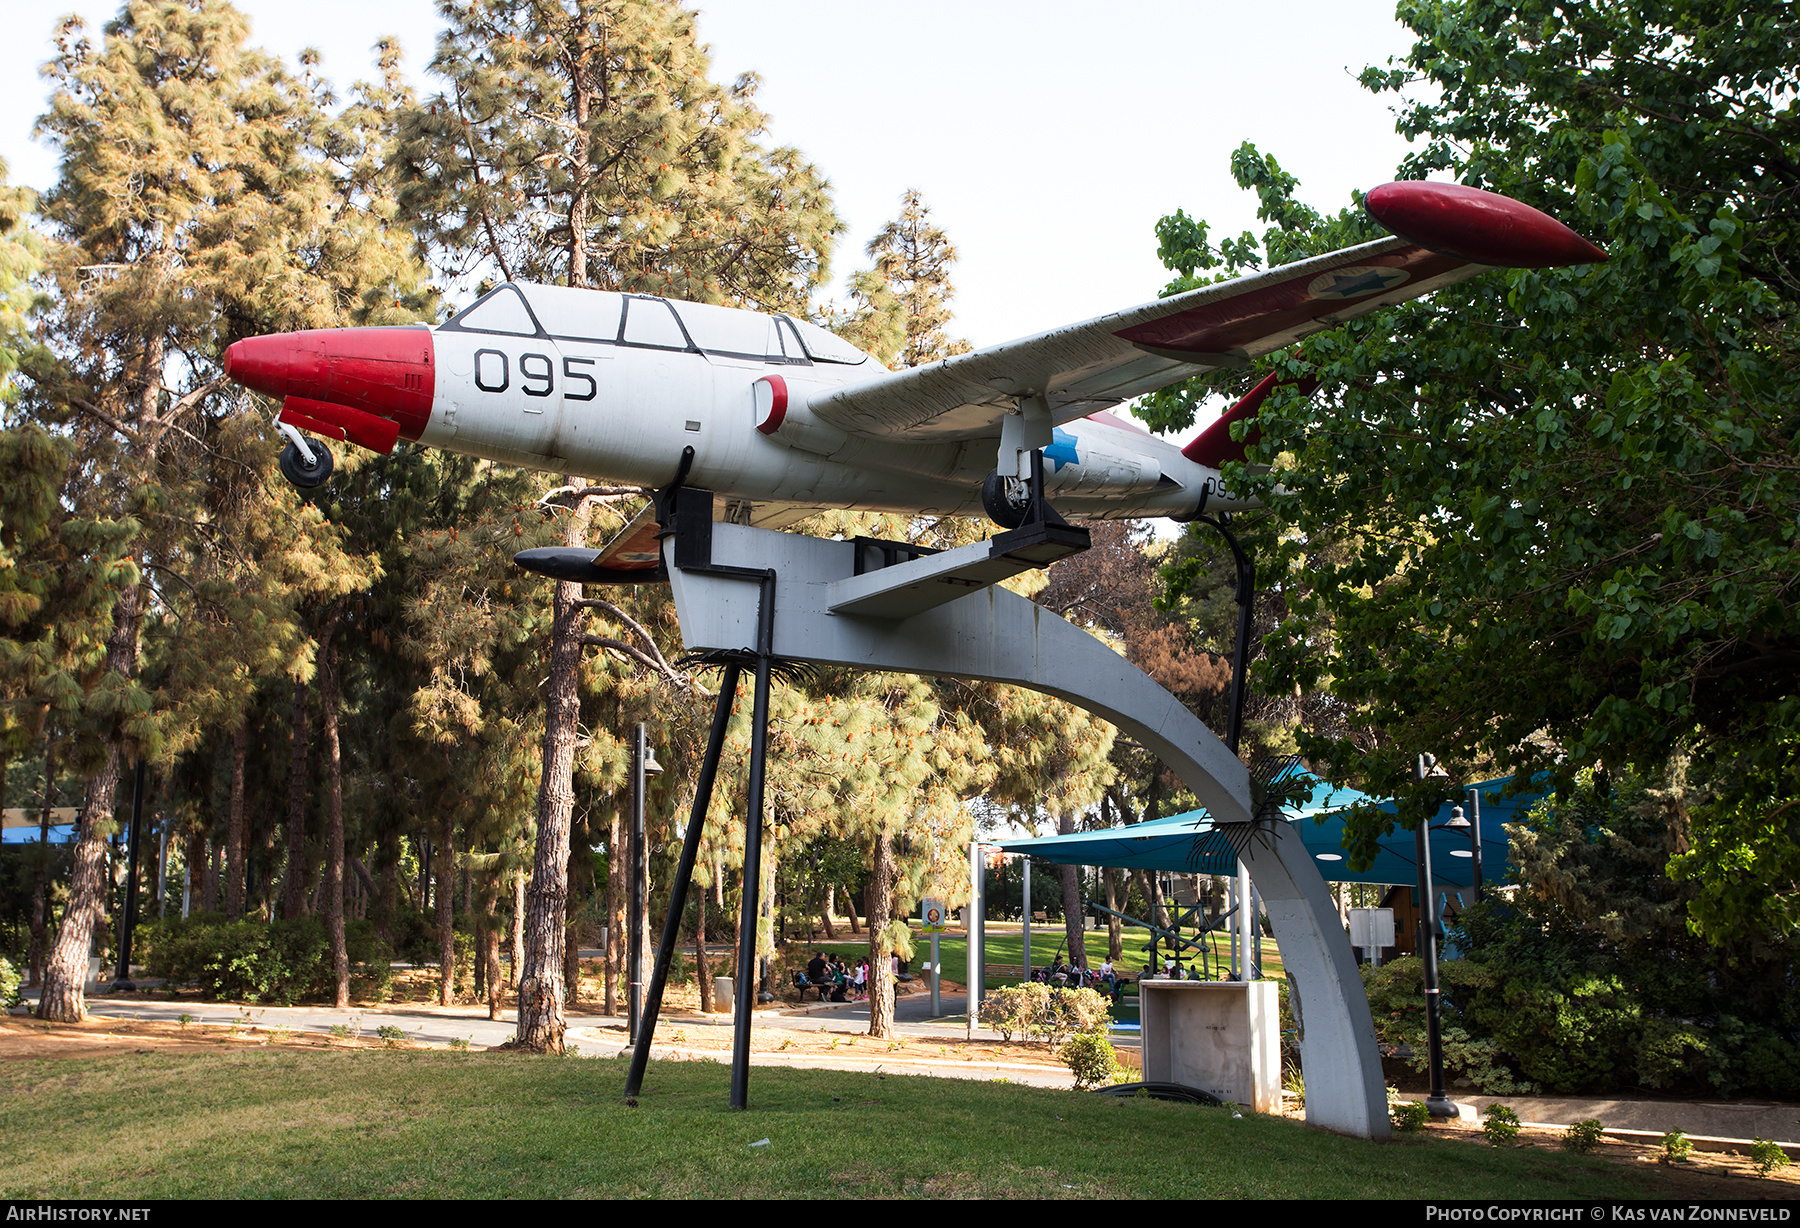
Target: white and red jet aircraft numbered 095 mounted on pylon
x=782 y=419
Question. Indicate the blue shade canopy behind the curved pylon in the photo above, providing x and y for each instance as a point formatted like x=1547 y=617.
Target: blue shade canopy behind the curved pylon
x=1187 y=844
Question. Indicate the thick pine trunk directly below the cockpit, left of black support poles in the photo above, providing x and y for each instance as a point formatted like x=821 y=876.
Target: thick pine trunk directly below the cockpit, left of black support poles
x=541 y=986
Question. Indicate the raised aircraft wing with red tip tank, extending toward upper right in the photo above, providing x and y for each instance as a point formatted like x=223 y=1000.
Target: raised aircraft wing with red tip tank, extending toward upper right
x=1444 y=233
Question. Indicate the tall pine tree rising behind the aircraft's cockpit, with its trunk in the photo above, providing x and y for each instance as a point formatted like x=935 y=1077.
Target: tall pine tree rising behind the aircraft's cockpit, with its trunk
x=584 y=143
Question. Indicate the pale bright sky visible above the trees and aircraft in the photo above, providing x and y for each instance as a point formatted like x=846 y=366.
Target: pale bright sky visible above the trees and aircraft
x=1045 y=141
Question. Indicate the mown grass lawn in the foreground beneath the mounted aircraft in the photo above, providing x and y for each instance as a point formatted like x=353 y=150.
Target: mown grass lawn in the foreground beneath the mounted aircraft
x=278 y=1123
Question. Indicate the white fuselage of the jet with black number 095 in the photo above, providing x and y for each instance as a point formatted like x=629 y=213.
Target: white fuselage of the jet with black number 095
x=624 y=402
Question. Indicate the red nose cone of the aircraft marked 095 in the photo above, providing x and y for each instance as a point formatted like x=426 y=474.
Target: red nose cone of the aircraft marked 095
x=348 y=383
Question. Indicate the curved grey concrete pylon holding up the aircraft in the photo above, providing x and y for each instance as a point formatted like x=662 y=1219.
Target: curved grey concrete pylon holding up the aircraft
x=1000 y=637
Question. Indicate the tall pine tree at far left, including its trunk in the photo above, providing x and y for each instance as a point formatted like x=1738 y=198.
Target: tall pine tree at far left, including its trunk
x=197 y=203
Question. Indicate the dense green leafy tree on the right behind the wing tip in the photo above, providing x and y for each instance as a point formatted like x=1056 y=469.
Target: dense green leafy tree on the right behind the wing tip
x=1549 y=518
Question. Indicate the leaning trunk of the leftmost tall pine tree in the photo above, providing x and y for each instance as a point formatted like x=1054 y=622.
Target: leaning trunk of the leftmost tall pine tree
x=62 y=1000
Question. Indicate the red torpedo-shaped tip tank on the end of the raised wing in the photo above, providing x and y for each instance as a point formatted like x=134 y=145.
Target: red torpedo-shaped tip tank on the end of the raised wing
x=1482 y=228
